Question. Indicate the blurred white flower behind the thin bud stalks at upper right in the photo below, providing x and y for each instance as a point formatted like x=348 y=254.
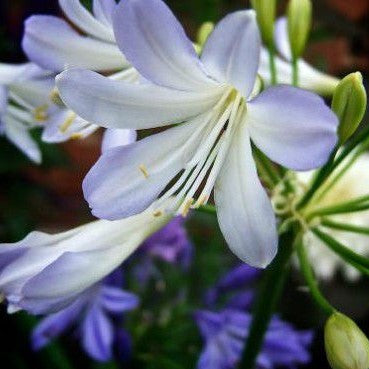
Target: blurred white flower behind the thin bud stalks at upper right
x=309 y=77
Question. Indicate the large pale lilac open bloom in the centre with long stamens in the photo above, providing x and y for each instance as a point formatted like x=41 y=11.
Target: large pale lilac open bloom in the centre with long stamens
x=211 y=97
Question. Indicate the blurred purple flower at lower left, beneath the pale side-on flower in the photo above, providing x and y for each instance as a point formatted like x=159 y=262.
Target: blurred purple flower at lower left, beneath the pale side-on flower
x=96 y=316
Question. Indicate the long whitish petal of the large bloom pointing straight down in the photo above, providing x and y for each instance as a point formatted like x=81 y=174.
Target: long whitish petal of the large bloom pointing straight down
x=245 y=213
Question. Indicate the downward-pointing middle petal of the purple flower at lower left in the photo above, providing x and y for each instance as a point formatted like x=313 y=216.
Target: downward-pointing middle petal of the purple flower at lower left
x=98 y=335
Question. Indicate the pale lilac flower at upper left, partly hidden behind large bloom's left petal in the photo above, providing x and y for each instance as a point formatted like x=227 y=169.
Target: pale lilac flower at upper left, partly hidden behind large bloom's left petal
x=53 y=44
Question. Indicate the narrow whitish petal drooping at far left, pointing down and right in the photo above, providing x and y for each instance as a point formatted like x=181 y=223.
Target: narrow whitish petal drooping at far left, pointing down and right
x=20 y=136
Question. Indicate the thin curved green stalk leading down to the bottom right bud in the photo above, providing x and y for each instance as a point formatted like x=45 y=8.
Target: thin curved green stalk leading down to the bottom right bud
x=310 y=279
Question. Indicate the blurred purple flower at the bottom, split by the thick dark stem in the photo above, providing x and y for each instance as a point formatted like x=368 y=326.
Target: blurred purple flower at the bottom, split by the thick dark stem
x=224 y=334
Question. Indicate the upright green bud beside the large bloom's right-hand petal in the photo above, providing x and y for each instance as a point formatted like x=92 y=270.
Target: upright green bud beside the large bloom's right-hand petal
x=349 y=103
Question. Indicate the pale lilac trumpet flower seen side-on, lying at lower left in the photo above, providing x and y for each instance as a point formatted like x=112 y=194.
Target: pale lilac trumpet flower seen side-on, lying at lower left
x=45 y=273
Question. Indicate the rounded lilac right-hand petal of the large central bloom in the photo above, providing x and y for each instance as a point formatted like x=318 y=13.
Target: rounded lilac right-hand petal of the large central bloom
x=293 y=127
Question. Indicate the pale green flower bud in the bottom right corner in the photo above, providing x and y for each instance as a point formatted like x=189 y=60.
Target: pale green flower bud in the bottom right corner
x=346 y=345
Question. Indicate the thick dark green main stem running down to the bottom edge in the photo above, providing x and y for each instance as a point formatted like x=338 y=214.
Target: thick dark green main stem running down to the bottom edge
x=268 y=297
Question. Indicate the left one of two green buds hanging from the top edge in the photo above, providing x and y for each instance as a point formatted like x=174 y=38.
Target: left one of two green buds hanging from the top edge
x=265 y=13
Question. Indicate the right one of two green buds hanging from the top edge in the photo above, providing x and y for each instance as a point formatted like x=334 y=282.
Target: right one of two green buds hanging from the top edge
x=299 y=24
